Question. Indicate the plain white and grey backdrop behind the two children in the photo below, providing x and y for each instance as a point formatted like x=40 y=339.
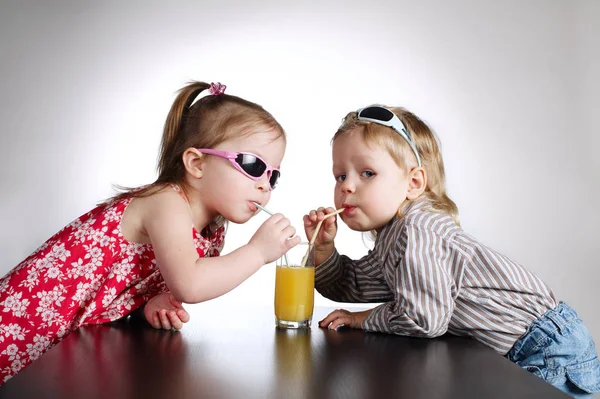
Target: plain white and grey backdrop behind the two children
x=511 y=87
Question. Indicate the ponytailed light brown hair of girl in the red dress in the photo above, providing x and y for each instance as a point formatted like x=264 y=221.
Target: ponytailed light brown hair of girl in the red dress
x=210 y=121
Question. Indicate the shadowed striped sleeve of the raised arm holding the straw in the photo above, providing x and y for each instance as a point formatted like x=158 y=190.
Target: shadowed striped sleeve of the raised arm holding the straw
x=342 y=279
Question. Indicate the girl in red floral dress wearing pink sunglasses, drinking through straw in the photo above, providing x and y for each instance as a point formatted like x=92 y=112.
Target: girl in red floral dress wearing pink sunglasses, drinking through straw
x=157 y=245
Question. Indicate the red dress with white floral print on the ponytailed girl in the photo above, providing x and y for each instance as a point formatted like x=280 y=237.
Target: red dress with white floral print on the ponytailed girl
x=87 y=273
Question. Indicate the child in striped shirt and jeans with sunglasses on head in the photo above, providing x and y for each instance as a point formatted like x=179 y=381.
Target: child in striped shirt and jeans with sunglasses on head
x=431 y=276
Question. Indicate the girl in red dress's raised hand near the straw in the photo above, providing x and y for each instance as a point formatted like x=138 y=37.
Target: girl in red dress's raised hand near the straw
x=274 y=238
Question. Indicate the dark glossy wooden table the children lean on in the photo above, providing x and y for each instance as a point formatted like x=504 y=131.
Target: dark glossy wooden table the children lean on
x=229 y=352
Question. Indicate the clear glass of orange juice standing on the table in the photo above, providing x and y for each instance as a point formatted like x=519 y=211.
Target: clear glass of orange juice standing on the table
x=295 y=287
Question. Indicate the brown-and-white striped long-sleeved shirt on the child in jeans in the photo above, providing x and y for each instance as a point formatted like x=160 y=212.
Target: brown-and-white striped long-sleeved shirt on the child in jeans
x=434 y=278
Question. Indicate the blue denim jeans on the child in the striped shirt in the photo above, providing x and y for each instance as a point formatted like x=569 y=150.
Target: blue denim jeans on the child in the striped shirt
x=558 y=348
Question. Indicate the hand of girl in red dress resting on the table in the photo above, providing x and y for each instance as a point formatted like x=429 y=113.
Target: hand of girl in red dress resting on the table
x=166 y=312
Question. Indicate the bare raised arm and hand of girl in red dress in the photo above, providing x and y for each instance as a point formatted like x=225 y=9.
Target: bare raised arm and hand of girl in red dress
x=192 y=279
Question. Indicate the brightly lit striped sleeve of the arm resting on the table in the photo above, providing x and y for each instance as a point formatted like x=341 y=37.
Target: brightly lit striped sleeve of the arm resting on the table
x=424 y=303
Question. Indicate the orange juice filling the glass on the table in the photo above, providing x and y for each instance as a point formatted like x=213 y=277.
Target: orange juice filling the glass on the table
x=294 y=293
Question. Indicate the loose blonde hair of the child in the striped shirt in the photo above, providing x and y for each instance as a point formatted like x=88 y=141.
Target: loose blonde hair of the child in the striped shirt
x=427 y=146
